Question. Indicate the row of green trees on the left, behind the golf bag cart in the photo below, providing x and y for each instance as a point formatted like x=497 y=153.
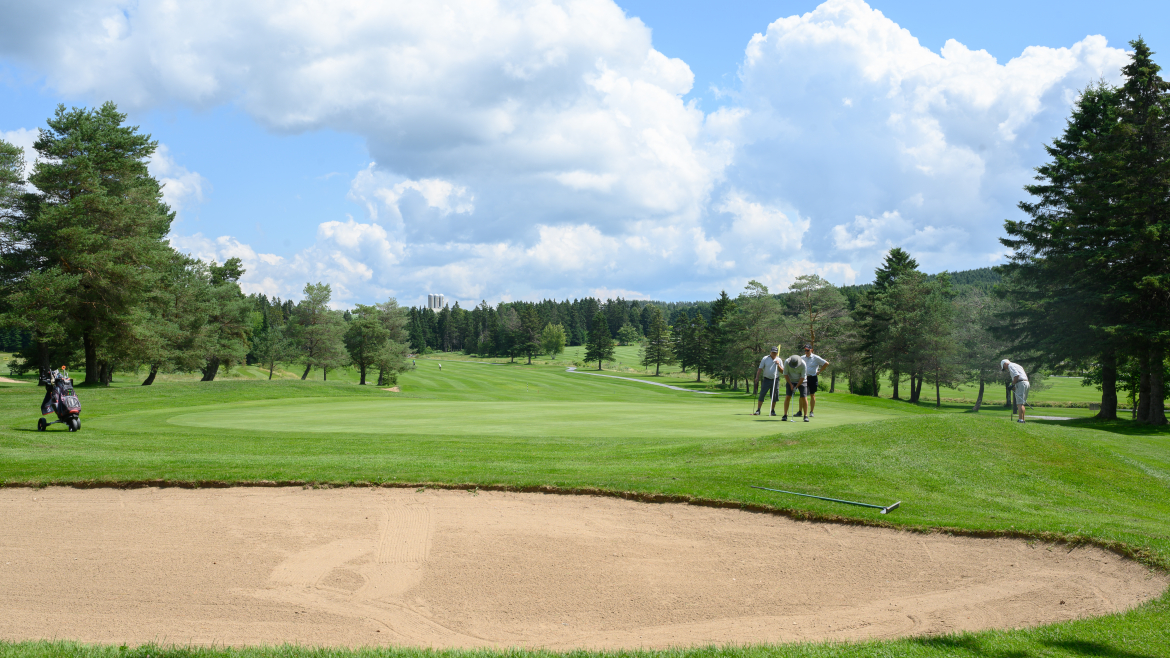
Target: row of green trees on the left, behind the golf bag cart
x=87 y=275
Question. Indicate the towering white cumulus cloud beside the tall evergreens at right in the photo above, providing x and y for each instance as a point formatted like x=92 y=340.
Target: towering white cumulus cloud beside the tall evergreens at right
x=855 y=118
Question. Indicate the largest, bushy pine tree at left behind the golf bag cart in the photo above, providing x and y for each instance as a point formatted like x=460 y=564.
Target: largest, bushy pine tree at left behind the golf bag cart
x=93 y=242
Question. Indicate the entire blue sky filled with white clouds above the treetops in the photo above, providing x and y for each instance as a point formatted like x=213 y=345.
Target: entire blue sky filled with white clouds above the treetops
x=539 y=148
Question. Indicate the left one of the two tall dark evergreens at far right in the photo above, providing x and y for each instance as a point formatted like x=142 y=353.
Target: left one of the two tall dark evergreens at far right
x=1059 y=285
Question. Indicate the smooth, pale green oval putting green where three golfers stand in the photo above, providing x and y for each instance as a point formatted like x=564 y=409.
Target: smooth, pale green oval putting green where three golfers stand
x=526 y=419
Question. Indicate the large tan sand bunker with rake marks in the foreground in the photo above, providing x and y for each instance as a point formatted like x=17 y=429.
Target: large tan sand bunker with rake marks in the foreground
x=437 y=568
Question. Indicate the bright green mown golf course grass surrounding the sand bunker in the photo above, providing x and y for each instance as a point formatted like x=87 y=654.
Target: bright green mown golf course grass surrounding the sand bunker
x=514 y=426
